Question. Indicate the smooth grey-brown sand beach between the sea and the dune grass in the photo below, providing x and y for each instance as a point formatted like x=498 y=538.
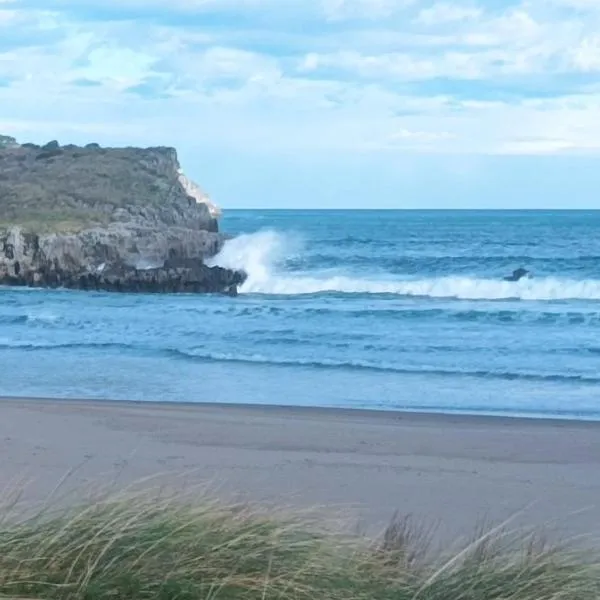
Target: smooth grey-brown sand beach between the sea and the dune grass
x=449 y=469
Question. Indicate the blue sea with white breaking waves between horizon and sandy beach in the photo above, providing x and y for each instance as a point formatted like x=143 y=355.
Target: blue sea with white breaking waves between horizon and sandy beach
x=364 y=309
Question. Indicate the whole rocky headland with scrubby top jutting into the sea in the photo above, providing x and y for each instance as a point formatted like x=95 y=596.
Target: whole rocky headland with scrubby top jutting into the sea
x=114 y=219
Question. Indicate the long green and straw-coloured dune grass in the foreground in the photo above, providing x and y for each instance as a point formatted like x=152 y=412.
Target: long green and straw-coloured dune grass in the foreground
x=143 y=546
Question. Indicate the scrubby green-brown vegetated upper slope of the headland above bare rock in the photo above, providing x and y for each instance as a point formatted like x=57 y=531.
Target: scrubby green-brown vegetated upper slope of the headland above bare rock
x=69 y=188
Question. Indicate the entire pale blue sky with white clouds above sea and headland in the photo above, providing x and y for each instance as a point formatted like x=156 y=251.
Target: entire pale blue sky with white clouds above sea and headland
x=323 y=103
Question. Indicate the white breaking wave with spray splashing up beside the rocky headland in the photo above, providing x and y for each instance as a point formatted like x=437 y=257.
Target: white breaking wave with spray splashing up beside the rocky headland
x=262 y=254
